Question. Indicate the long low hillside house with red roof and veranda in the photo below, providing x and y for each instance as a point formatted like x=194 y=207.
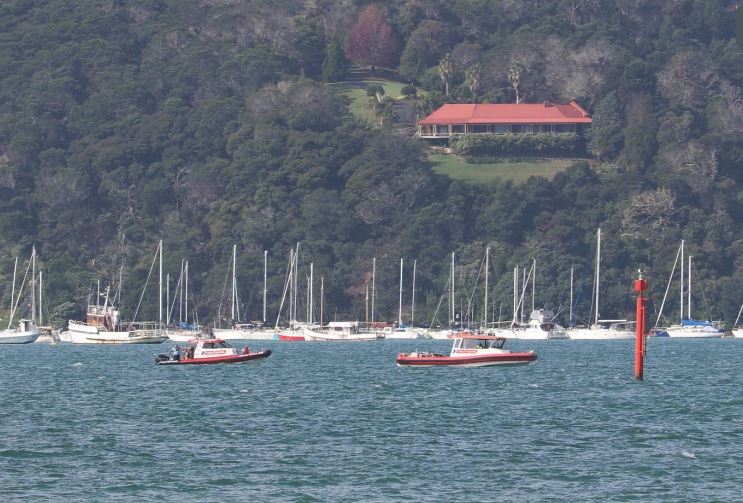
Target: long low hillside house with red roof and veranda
x=522 y=118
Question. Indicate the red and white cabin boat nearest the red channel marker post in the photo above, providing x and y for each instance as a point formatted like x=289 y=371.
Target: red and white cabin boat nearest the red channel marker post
x=469 y=350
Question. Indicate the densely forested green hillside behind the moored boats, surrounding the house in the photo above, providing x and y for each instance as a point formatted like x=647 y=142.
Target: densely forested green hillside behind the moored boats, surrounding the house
x=208 y=123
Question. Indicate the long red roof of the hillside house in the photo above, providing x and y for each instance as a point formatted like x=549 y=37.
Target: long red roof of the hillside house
x=523 y=113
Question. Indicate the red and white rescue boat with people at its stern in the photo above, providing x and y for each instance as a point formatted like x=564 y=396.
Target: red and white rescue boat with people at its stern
x=208 y=351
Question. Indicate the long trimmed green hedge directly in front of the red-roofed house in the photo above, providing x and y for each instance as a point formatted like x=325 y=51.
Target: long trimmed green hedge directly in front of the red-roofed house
x=494 y=144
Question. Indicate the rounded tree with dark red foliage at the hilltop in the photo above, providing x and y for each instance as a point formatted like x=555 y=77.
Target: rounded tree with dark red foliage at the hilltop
x=371 y=40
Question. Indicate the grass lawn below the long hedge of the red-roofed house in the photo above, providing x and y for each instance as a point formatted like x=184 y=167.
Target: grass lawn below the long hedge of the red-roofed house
x=518 y=171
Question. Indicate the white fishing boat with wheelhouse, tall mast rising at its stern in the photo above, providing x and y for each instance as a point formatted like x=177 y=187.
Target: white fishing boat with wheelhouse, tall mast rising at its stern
x=103 y=324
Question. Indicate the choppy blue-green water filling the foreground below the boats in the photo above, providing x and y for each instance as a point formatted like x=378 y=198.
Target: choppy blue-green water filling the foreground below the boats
x=340 y=422
